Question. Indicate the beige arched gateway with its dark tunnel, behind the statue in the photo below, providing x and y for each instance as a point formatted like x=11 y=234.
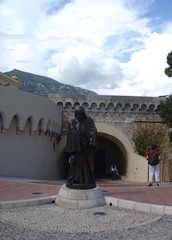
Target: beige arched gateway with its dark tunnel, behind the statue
x=113 y=147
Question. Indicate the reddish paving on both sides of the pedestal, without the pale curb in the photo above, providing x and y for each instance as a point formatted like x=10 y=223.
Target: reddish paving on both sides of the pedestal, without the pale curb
x=17 y=189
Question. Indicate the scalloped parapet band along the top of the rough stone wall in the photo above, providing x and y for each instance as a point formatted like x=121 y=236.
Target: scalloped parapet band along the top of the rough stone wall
x=101 y=103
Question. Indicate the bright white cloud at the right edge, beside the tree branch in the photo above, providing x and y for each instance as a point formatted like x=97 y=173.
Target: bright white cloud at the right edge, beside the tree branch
x=145 y=70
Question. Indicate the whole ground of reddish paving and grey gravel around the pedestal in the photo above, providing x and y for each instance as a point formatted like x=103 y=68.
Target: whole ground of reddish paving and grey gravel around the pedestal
x=50 y=221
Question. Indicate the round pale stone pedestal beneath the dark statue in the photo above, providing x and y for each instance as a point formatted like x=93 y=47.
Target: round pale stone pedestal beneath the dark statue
x=79 y=199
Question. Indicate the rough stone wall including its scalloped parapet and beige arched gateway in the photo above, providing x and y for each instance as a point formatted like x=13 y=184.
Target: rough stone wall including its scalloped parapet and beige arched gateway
x=115 y=117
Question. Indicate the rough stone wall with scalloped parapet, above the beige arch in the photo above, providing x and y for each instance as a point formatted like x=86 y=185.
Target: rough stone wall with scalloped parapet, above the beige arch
x=122 y=112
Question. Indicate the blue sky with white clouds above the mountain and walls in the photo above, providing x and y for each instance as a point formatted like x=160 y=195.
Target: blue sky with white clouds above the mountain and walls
x=112 y=47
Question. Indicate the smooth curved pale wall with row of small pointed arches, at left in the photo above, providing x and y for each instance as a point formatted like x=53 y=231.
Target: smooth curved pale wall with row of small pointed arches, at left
x=28 y=155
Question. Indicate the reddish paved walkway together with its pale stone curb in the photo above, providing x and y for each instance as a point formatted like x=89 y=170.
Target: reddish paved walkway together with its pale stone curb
x=23 y=192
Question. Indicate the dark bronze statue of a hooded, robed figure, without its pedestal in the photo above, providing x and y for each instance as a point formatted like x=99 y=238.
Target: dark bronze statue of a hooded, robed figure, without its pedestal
x=81 y=143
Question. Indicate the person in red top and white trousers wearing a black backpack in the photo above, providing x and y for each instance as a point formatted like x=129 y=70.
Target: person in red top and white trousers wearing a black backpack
x=153 y=157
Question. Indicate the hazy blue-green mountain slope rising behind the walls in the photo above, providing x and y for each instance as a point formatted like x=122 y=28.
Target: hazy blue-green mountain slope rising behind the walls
x=44 y=85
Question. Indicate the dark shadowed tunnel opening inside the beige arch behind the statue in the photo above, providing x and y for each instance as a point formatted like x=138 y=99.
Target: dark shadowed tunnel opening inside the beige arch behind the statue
x=107 y=154
